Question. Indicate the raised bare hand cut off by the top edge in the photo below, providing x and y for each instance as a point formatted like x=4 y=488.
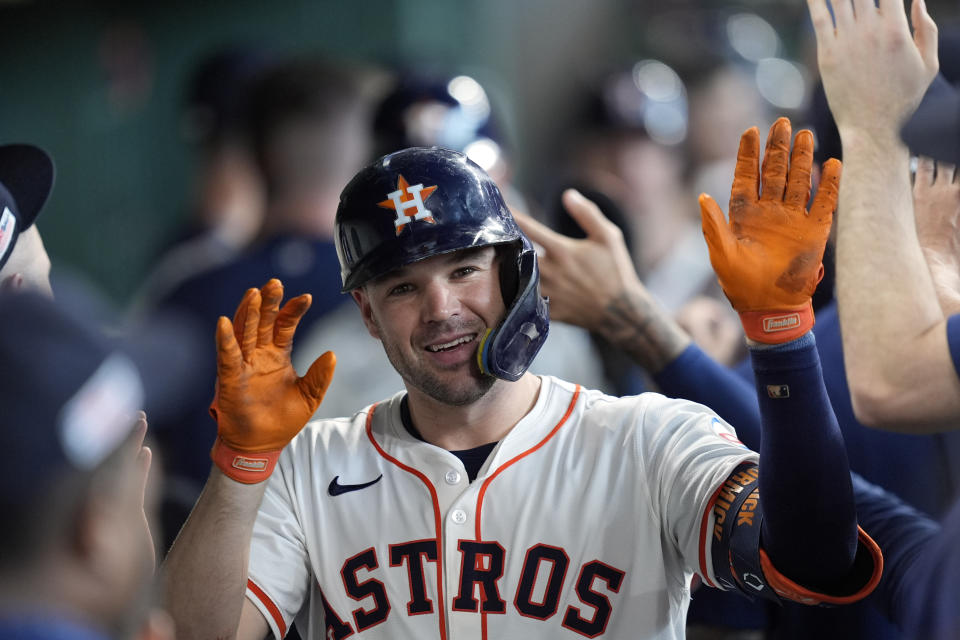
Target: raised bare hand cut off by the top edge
x=874 y=73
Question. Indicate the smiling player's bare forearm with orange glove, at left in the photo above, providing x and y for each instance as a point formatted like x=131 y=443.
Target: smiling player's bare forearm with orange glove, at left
x=260 y=404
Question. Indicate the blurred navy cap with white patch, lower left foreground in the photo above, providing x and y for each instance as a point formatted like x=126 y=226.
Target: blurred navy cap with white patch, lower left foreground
x=69 y=396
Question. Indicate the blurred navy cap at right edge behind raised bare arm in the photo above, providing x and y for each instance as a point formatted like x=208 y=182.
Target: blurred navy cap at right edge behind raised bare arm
x=934 y=128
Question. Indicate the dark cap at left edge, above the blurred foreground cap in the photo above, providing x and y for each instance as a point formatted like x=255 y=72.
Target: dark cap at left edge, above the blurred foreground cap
x=26 y=178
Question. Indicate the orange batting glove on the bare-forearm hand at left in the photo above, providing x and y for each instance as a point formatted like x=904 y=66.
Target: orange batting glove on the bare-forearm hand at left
x=260 y=403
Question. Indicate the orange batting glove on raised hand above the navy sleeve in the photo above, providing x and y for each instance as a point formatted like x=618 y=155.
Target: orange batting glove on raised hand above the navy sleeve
x=769 y=256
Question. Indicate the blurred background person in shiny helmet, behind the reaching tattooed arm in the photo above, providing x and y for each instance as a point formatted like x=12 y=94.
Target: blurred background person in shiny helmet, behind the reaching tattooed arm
x=628 y=145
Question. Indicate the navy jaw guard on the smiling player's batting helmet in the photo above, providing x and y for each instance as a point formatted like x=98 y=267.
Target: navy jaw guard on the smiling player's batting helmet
x=507 y=351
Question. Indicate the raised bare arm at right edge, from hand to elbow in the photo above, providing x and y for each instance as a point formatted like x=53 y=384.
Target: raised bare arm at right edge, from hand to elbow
x=894 y=332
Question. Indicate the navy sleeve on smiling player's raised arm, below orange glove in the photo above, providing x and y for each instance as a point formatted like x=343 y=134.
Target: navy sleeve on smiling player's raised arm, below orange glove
x=809 y=528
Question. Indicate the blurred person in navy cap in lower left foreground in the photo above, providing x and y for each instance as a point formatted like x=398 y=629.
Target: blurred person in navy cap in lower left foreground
x=78 y=556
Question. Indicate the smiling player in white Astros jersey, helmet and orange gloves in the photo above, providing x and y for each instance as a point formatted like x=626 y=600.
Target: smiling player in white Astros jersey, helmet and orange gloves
x=484 y=501
